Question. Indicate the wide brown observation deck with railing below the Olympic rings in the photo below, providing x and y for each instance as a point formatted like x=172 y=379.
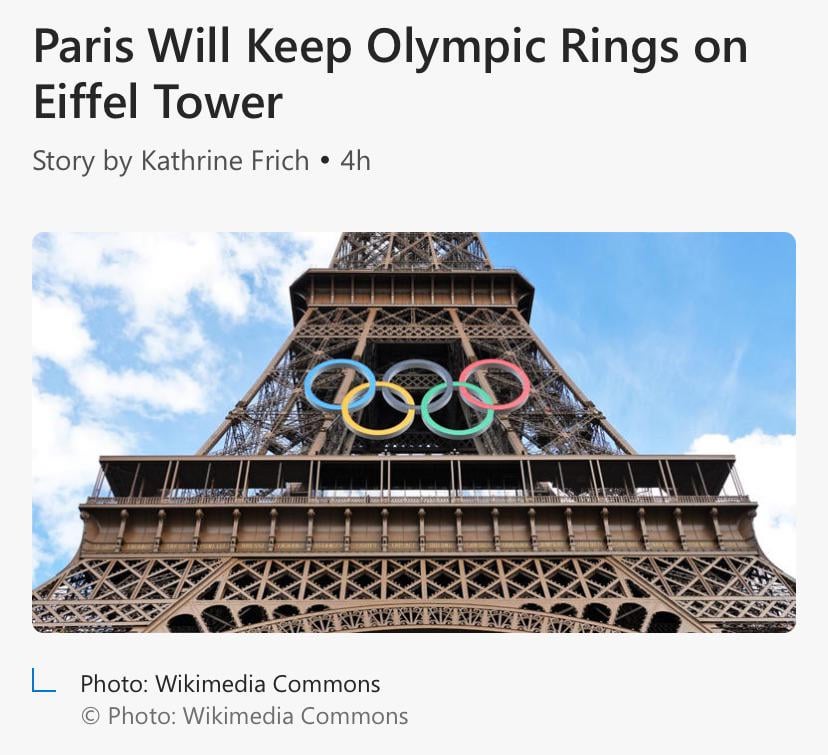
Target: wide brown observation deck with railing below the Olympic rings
x=417 y=504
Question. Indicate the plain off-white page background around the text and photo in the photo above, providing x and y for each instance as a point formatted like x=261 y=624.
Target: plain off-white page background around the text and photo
x=547 y=147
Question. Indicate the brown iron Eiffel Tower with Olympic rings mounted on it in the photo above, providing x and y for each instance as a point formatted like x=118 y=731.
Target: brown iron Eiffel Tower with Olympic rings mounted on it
x=381 y=493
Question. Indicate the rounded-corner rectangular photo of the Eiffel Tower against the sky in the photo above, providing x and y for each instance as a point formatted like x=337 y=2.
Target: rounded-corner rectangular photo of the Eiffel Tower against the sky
x=409 y=432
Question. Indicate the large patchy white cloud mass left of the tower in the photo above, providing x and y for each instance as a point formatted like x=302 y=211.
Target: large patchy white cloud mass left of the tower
x=157 y=288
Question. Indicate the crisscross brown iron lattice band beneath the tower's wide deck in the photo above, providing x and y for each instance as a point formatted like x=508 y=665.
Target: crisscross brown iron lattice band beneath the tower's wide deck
x=624 y=593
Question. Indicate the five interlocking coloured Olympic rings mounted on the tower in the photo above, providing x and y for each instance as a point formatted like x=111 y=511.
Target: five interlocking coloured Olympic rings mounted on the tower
x=400 y=398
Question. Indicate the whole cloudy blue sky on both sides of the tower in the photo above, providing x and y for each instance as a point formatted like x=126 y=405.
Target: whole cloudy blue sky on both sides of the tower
x=142 y=342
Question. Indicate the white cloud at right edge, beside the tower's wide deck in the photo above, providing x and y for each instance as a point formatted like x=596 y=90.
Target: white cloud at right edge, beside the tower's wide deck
x=767 y=468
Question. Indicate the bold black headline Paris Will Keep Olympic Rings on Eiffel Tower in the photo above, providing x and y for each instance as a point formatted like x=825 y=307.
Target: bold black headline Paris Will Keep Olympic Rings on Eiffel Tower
x=212 y=45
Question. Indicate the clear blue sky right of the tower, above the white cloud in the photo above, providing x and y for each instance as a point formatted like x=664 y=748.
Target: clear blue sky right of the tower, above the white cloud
x=671 y=335
